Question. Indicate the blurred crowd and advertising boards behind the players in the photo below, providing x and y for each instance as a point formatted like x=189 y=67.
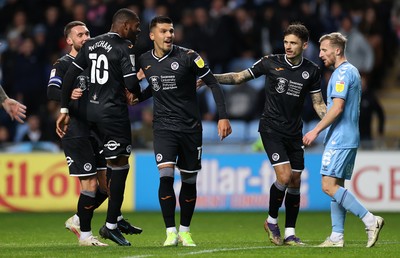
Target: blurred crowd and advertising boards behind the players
x=230 y=35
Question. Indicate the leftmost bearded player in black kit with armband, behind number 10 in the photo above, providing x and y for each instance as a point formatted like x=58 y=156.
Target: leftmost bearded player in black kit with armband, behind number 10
x=84 y=157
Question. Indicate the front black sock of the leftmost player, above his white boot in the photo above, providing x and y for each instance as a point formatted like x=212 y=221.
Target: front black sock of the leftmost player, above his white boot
x=86 y=206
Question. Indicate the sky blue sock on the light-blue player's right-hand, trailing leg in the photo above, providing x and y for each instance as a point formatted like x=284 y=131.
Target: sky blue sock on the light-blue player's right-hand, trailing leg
x=346 y=199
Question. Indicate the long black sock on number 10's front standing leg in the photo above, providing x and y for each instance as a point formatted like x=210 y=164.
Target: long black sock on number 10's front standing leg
x=117 y=188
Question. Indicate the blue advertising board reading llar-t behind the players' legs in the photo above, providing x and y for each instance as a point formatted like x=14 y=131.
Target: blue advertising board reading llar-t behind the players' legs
x=230 y=182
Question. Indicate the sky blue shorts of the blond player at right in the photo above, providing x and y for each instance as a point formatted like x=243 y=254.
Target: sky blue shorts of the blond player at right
x=338 y=163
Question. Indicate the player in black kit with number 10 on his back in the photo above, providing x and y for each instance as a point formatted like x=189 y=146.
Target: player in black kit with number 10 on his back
x=109 y=59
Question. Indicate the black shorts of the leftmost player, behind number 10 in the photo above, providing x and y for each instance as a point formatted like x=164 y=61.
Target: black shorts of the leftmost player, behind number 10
x=80 y=156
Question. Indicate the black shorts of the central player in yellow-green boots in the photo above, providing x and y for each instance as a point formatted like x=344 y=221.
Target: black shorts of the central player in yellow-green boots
x=181 y=149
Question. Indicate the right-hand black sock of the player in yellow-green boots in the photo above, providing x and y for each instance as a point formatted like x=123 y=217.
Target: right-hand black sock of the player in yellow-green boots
x=187 y=201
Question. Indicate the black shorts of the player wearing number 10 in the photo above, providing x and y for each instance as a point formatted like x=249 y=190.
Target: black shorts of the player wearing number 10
x=115 y=138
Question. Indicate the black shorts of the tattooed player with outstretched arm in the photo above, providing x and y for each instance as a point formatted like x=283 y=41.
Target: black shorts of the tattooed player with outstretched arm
x=281 y=150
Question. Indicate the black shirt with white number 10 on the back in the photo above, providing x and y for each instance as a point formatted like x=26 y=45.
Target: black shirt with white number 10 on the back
x=110 y=59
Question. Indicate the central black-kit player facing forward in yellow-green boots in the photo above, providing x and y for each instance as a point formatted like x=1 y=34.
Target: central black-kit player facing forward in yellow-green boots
x=172 y=72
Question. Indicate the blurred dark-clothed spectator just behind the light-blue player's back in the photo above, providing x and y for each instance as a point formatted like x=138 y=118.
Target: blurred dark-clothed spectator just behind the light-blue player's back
x=369 y=107
